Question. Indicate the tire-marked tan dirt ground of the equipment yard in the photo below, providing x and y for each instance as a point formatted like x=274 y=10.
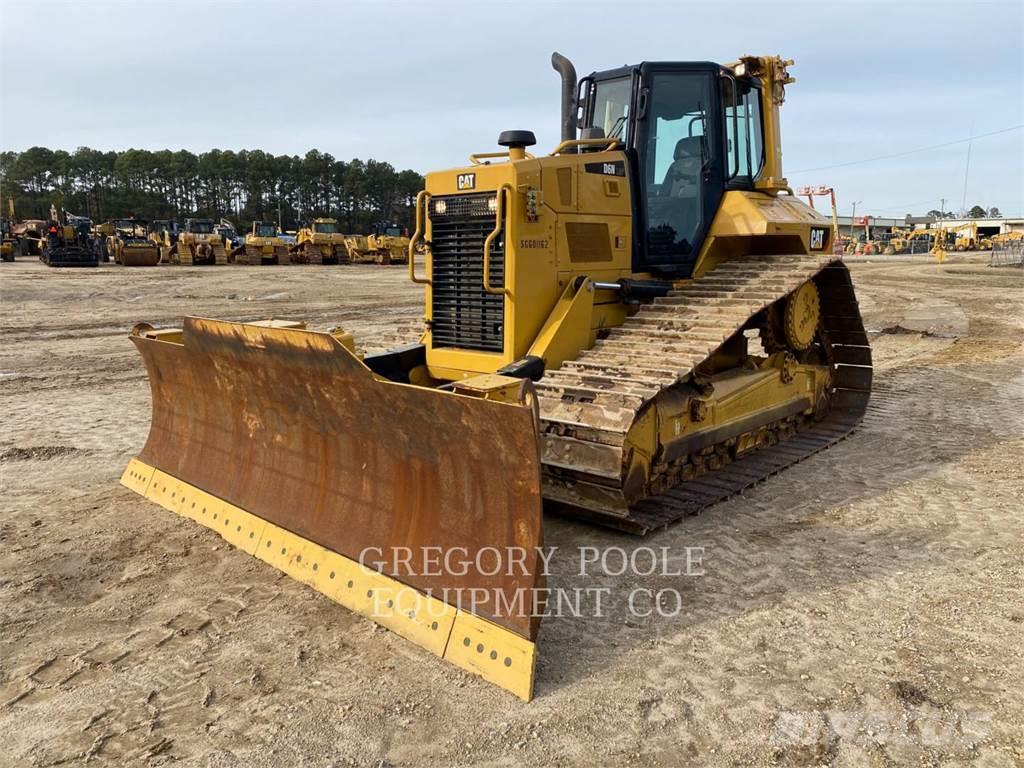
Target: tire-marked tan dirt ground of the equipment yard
x=865 y=608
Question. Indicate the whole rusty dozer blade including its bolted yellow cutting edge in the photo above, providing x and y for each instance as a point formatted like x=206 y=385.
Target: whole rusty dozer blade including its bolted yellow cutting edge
x=418 y=508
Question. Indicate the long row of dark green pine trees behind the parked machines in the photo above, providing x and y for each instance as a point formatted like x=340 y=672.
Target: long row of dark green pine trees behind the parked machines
x=243 y=187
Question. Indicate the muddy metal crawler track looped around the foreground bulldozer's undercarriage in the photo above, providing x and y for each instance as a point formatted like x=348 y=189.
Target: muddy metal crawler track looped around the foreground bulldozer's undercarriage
x=589 y=405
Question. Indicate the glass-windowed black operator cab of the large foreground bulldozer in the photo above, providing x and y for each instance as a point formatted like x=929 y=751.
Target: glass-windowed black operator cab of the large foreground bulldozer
x=691 y=132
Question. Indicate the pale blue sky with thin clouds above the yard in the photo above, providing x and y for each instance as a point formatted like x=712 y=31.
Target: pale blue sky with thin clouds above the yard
x=422 y=86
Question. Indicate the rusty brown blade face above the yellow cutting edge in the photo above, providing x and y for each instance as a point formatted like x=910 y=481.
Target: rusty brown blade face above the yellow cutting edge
x=290 y=426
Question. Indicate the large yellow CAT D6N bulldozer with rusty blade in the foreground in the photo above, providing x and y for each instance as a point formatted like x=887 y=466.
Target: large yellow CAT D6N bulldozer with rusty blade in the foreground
x=631 y=328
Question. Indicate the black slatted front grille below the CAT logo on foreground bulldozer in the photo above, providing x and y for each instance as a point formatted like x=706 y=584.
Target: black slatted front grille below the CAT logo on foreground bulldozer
x=464 y=316
